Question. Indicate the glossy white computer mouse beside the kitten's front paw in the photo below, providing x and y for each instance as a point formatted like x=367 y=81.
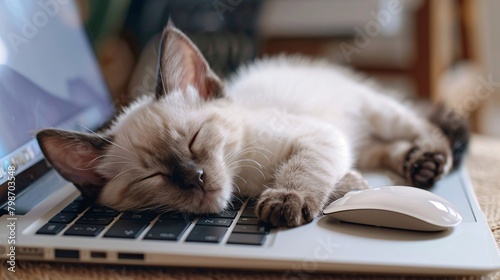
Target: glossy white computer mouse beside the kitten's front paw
x=396 y=207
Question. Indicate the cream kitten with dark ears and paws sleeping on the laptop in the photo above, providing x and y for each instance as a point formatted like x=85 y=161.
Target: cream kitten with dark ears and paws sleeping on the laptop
x=287 y=129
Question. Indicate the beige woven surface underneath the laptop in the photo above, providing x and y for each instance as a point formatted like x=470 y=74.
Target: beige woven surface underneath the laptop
x=483 y=163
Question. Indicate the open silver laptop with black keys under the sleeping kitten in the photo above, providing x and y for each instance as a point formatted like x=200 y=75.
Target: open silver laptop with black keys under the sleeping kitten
x=49 y=77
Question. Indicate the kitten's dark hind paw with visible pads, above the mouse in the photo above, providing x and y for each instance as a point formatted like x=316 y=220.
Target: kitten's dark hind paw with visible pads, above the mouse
x=423 y=169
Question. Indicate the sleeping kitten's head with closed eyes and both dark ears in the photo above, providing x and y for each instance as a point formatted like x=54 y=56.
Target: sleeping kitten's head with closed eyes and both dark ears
x=171 y=150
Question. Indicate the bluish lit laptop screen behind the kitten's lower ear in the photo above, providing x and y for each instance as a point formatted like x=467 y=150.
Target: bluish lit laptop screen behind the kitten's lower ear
x=48 y=78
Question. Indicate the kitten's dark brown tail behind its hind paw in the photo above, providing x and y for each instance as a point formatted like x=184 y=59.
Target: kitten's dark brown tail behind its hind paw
x=455 y=127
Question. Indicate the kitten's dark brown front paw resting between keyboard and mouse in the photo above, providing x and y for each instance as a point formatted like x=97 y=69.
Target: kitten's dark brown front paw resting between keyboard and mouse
x=284 y=208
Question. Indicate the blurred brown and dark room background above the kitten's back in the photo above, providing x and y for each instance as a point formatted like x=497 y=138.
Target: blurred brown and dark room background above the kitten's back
x=444 y=50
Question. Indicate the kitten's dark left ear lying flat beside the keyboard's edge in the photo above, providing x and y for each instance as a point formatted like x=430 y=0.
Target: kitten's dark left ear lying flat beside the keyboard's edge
x=74 y=156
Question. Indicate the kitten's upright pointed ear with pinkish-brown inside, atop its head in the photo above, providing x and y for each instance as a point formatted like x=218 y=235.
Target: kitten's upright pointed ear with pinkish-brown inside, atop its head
x=180 y=64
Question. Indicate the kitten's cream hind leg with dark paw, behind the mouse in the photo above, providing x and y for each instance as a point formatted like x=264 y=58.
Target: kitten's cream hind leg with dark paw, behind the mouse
x=407 y=143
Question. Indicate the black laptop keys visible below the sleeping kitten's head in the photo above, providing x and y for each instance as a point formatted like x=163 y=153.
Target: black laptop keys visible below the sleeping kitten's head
x=238 y=222
